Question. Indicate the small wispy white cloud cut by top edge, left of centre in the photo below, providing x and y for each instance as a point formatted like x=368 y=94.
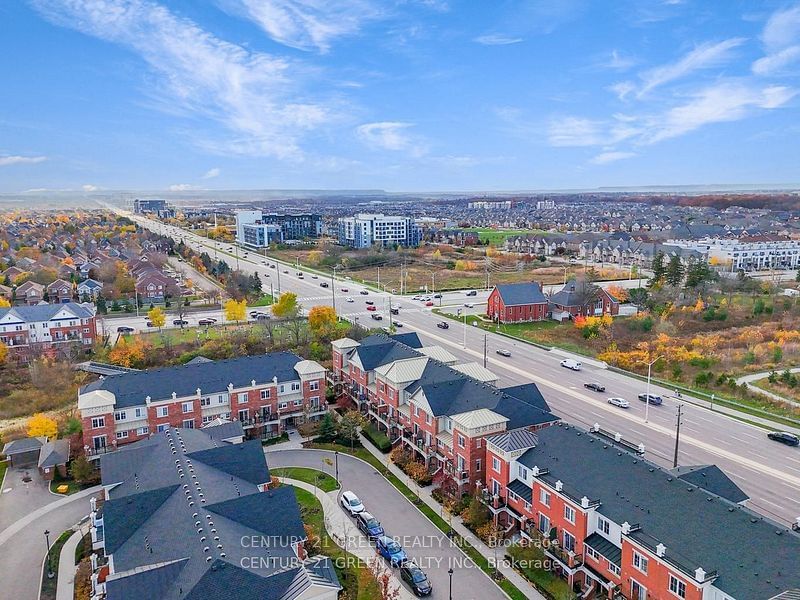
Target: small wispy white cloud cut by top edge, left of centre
x=308 y=24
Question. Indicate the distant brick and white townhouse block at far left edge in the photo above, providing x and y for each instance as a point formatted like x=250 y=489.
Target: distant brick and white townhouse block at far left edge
x=47 y=328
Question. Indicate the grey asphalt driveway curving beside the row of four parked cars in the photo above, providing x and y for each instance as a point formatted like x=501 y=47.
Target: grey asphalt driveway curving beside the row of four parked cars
x=422 y=540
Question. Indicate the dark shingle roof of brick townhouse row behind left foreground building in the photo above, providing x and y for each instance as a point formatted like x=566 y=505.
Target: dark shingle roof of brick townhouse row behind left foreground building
x=131 y=389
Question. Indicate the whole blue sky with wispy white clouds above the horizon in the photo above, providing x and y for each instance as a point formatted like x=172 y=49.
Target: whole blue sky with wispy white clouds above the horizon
x=398 y=95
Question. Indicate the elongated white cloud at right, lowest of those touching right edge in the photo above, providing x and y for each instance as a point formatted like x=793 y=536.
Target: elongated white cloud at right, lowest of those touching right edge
x=725 y=101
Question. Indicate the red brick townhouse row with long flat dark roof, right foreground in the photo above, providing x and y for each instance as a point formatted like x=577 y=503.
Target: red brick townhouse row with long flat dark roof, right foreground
x=617 y=526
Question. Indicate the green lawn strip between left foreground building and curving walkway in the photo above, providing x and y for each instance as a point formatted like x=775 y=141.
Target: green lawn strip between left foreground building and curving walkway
x=357 y=581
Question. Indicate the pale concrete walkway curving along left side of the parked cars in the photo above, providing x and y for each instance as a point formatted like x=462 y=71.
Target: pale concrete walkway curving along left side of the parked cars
x=344 y=532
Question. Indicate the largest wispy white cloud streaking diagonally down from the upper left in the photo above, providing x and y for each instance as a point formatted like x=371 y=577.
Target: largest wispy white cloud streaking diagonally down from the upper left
x=200 y=75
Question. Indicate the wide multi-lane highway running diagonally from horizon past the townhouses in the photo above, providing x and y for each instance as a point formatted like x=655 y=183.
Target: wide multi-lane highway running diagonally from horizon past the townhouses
x=767 y=471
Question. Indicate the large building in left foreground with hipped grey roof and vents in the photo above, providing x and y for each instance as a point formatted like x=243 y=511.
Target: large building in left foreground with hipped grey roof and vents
x=189 y=514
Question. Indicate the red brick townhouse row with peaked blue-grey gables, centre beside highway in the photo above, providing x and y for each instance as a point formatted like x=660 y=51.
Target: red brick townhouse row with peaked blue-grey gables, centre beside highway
x=442 y=412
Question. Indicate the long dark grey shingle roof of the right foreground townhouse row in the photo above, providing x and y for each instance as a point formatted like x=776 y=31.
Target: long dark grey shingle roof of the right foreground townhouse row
x=699 y=529
